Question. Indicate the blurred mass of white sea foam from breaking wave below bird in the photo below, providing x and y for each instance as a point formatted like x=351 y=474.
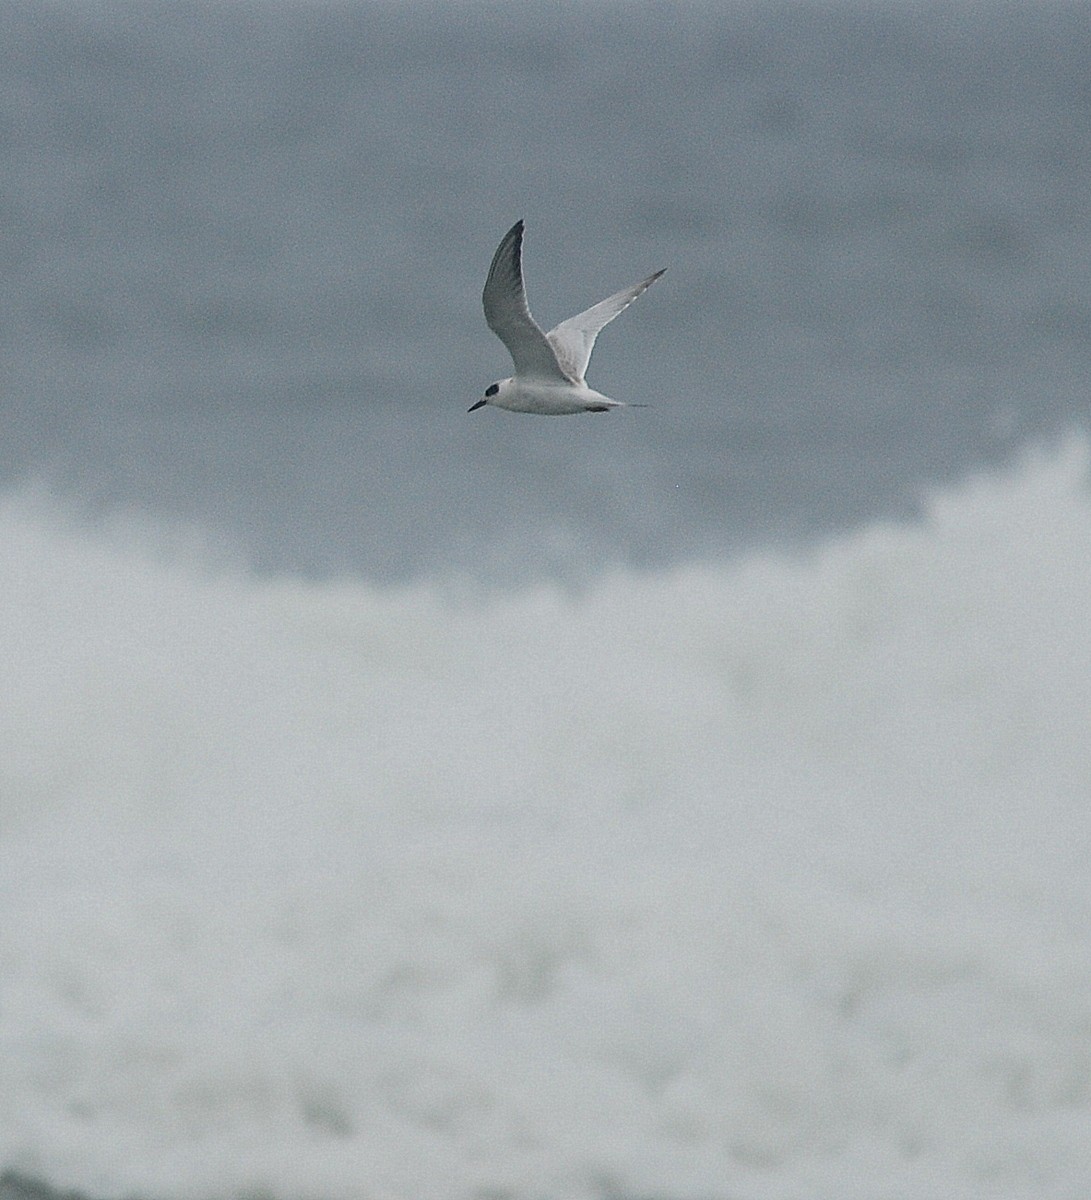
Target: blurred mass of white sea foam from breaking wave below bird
x=768 y=879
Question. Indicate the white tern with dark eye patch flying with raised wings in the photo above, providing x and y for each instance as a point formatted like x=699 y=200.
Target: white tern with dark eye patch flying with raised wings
x=549 y=368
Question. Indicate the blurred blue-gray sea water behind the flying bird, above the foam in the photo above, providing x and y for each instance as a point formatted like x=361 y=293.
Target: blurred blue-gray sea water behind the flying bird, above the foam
x=243 y=249
